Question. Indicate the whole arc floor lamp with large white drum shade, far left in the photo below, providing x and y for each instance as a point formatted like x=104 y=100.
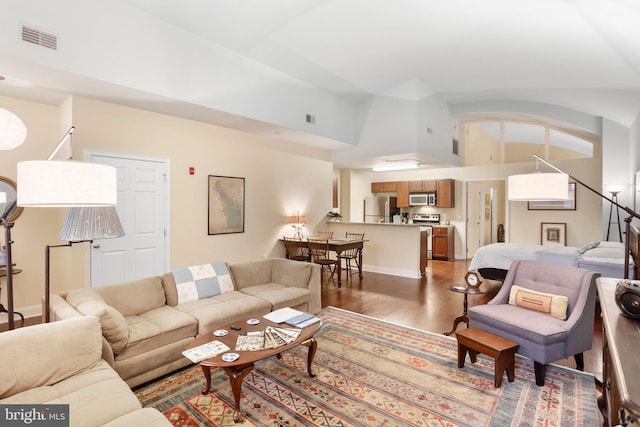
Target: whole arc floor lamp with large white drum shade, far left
x=52 y=183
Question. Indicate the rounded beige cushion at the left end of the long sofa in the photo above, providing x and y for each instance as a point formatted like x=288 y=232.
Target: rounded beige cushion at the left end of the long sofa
x=113 y=324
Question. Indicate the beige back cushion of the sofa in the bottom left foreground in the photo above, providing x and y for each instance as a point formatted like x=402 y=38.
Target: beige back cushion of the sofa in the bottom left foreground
x=38 y=359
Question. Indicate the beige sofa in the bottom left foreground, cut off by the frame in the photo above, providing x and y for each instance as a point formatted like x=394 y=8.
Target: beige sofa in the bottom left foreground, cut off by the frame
x=61 y=363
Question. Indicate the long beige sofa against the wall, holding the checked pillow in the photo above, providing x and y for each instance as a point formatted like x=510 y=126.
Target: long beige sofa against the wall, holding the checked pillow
x=145 y=327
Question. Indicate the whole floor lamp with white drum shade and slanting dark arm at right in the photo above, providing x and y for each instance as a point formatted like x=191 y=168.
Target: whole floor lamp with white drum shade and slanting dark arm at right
x=535 y=186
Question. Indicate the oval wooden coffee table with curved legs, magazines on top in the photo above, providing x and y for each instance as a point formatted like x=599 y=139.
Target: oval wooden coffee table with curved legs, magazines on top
x=239 y=368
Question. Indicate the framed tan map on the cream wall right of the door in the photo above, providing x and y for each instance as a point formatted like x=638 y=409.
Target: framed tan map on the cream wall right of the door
x=226 y=205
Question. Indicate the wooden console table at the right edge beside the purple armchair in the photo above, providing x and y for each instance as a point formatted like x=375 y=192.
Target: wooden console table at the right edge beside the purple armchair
x=620 y=344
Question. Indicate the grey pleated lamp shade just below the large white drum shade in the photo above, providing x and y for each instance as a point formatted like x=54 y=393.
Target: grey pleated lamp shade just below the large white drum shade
x=89 y=223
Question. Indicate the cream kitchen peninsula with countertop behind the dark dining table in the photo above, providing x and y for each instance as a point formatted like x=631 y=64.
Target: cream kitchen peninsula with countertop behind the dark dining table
x=396 y=249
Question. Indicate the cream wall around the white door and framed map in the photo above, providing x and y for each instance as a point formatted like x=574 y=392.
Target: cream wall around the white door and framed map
x=277 y=184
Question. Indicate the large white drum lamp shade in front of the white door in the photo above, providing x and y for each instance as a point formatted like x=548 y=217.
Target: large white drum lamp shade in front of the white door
x=68 y=183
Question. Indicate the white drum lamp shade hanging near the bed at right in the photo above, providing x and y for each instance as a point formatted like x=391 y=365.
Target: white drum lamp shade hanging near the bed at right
x=538 y=187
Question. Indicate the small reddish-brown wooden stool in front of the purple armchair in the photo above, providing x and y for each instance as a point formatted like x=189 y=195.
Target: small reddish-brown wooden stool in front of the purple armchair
x=501 y=350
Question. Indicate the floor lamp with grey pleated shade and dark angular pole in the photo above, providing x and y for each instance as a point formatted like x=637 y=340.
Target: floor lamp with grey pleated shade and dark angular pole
x=82 y=224
